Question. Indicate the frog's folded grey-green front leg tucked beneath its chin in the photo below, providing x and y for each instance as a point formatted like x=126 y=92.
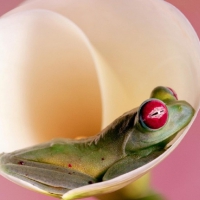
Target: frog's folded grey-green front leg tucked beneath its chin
x=128 y=164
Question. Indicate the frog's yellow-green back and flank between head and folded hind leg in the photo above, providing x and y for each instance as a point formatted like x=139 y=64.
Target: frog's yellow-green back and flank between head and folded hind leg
x=91 y=156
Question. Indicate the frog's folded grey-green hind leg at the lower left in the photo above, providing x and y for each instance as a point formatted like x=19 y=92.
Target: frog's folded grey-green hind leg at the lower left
x=50 y=178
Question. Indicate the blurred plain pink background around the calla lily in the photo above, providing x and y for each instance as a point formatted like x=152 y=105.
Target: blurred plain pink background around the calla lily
x=178 y=176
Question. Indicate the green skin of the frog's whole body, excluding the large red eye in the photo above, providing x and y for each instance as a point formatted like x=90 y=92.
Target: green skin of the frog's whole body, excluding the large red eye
x=64 y=164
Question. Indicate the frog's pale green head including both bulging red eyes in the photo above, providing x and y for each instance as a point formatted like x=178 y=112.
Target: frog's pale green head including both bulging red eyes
x=159 y=119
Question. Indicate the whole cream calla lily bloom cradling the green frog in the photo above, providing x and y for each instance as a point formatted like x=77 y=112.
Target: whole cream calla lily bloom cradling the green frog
x=69 y=68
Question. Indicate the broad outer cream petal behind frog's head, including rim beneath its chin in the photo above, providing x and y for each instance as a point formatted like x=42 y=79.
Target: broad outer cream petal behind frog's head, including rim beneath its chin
x=135 y=46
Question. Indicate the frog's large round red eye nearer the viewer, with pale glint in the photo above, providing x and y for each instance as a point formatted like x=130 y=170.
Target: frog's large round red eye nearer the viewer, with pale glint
x=153 y=114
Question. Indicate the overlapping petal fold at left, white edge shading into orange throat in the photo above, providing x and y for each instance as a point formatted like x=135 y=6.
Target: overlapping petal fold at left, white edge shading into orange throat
x=48 y=86
